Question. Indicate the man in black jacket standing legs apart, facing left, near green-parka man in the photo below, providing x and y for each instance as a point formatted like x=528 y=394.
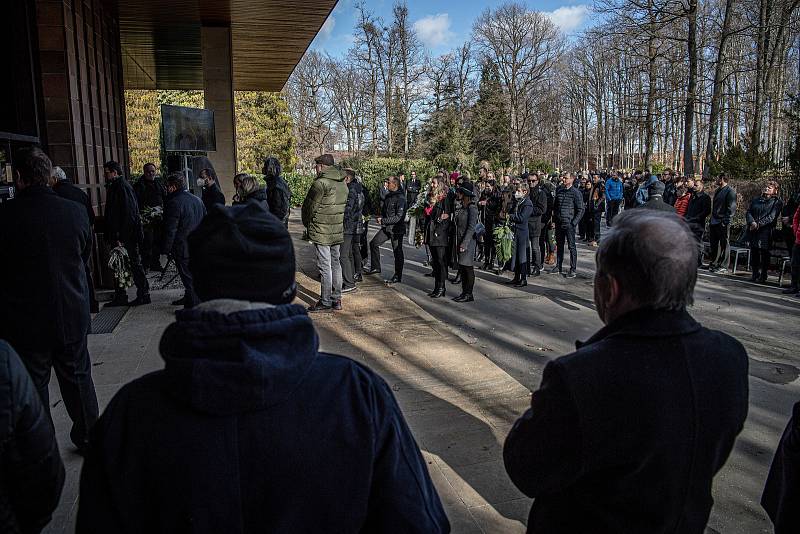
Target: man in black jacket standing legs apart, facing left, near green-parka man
x=393 y=227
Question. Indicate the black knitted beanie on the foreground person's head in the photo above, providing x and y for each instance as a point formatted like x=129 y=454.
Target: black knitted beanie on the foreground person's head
x=242 y=252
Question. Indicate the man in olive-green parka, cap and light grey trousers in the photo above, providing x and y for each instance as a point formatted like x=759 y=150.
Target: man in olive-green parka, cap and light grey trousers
x=323 y=216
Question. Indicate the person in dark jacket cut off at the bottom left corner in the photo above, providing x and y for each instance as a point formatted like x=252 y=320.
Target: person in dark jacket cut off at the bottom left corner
x=33 y=474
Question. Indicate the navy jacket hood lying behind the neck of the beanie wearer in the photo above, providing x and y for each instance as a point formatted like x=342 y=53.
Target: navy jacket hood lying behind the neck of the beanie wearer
x=227 y=357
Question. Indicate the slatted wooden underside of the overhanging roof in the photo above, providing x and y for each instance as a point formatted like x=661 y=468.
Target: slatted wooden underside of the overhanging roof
x=161 y=46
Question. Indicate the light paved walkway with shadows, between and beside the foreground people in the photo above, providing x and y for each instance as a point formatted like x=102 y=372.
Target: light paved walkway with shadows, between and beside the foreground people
x=458 y=403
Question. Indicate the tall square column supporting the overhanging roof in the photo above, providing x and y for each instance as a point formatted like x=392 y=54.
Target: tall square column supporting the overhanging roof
x=218 y=96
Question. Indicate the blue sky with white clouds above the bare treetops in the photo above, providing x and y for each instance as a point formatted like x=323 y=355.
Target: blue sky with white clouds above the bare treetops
x=441 y=24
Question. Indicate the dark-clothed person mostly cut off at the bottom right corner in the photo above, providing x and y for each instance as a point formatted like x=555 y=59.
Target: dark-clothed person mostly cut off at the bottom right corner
x=781 y=497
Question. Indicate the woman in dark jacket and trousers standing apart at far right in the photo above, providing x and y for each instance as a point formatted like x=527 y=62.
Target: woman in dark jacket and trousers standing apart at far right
x=762 y=218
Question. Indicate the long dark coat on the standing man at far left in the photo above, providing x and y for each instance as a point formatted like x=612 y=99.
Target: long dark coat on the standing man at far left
x=45 y=242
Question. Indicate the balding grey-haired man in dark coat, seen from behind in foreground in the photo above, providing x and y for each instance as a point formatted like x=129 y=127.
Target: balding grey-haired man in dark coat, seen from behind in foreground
x=626 y=433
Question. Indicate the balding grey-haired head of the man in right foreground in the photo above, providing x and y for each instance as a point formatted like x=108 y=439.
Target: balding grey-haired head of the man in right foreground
x=650 y=259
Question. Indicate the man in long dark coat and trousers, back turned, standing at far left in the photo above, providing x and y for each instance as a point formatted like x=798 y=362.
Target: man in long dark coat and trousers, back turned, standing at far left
x=44 y=305
